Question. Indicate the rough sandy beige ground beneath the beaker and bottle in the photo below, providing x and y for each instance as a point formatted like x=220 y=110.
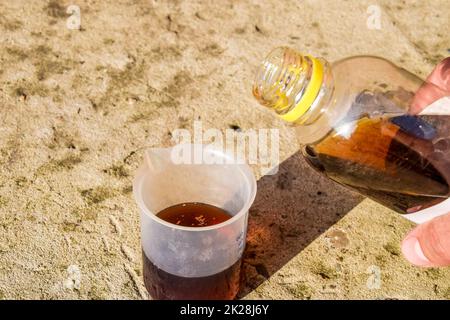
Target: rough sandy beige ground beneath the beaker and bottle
x=79 y=106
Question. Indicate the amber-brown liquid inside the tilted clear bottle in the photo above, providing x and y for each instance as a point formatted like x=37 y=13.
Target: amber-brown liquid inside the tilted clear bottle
x=388 y=162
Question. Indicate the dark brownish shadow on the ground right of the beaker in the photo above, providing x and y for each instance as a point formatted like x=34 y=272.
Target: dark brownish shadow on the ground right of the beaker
x=291 y=209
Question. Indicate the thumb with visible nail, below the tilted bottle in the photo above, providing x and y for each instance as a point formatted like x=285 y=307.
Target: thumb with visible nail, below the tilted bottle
x=428 y=245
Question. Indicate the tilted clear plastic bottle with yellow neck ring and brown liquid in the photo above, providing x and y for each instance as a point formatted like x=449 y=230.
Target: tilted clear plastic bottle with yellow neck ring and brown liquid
x=361 y=124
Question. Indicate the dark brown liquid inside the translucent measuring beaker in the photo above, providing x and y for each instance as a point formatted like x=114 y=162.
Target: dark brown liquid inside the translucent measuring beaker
x=221 y=286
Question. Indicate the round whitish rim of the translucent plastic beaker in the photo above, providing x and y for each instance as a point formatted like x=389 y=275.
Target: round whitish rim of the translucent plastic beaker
x=244 y=169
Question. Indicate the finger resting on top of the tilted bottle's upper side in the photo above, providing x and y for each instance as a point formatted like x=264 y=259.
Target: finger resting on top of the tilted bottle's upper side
x=437 y=85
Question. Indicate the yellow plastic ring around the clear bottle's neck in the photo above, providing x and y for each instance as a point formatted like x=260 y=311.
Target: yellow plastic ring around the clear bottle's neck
x=310 y=94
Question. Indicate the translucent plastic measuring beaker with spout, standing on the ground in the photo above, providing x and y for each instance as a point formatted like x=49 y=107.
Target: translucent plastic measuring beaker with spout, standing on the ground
x=193 y=262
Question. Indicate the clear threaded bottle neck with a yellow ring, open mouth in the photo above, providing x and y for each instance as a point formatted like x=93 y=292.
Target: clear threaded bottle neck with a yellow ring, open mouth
x=297 y=87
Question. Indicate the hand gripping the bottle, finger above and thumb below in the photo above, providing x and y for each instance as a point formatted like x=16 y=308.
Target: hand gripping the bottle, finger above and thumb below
x=428 y=245
